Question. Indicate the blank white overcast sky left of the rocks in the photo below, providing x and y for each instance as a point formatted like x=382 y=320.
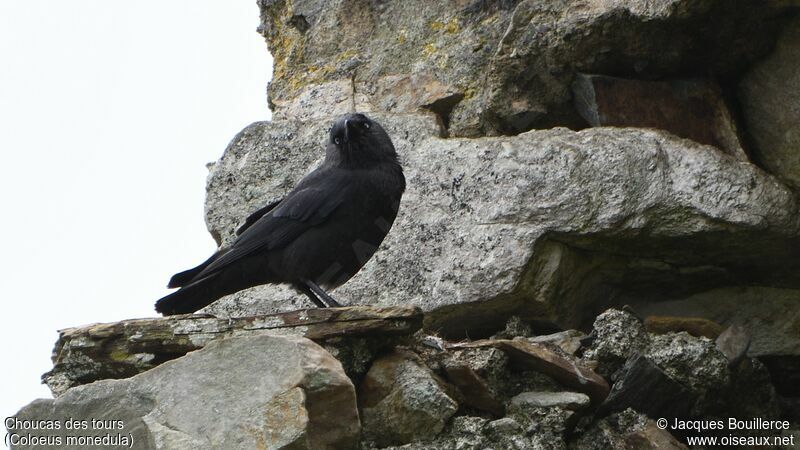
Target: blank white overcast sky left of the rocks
x=109 y=111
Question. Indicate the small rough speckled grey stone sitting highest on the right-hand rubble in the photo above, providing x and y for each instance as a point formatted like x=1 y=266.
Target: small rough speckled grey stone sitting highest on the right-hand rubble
x=618 y=335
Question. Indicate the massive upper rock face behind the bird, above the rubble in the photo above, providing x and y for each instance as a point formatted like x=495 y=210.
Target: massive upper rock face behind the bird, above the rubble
x=551 y=224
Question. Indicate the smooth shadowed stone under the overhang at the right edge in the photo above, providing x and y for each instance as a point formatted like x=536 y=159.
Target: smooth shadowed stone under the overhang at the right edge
x=771 y=315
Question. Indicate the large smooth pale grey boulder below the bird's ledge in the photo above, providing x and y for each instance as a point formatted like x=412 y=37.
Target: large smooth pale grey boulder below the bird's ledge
x=271 y=392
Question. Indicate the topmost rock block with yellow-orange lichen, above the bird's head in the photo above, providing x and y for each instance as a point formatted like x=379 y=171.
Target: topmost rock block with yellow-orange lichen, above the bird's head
x=494 y=67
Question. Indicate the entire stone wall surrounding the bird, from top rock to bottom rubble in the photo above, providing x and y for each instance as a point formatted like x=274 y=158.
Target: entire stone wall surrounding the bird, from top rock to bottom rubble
x=601 y=229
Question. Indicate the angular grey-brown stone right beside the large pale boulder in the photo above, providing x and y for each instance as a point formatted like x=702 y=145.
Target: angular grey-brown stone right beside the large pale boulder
x=402 y=401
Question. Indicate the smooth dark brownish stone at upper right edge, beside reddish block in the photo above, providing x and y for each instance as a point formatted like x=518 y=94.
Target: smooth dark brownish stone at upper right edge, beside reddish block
x=770 y=95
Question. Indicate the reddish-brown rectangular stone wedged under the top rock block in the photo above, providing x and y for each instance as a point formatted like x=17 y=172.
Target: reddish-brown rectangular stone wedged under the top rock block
x=693 y=109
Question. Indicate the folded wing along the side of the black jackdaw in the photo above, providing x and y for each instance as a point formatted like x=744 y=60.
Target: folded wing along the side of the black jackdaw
x=307 y=206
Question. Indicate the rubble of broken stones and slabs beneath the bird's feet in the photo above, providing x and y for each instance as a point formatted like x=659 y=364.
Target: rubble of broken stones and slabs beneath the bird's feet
x=278 y=389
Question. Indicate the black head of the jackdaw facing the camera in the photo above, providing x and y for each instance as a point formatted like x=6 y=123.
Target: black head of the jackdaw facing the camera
x=355 y=139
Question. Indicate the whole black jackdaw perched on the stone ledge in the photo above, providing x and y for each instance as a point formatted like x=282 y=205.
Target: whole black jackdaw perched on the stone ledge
x=320 y=234
